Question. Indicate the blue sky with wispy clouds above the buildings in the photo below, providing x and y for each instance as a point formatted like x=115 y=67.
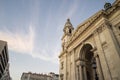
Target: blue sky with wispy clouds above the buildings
x=34 y=28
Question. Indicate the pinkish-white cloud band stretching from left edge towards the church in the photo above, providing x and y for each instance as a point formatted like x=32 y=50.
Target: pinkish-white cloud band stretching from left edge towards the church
x=24 y=43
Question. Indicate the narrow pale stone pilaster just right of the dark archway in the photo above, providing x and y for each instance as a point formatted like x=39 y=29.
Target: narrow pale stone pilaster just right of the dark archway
x=102 y=56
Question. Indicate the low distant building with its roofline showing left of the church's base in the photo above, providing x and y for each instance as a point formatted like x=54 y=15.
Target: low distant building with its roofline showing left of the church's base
x=35 y=76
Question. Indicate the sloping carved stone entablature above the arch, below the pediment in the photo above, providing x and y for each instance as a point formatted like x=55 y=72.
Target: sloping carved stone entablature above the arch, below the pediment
x=97 y=28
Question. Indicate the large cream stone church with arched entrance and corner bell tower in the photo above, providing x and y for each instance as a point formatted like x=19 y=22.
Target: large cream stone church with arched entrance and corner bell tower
x=92 y=51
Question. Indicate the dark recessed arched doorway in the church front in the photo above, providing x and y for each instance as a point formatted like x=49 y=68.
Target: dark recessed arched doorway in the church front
x=89 y=68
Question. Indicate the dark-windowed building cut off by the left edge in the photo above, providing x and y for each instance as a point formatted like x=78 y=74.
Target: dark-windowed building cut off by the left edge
x=4 y=61
